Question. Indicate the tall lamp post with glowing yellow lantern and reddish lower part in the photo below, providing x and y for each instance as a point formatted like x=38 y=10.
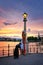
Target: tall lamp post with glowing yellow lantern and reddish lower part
x=24 y=32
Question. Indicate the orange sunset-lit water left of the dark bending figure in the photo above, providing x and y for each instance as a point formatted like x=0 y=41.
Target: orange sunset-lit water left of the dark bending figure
x=4 y=45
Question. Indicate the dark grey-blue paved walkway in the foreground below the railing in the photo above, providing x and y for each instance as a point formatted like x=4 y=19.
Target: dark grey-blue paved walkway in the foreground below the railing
x=29 y=59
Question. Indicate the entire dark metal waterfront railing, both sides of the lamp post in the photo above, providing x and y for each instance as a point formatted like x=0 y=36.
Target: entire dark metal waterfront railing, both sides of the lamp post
x=8 y=50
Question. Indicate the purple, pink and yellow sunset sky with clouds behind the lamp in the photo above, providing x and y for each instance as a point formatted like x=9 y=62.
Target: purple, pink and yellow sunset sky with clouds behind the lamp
x=11 y=19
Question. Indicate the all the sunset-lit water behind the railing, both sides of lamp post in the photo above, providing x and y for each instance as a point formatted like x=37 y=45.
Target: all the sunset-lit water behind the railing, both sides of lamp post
x=30 y=47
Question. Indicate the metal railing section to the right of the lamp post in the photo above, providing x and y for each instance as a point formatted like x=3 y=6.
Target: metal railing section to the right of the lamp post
x=34 y=48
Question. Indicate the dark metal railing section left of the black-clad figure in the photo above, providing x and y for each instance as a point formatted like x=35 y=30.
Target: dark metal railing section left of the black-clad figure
x=6 y=50
